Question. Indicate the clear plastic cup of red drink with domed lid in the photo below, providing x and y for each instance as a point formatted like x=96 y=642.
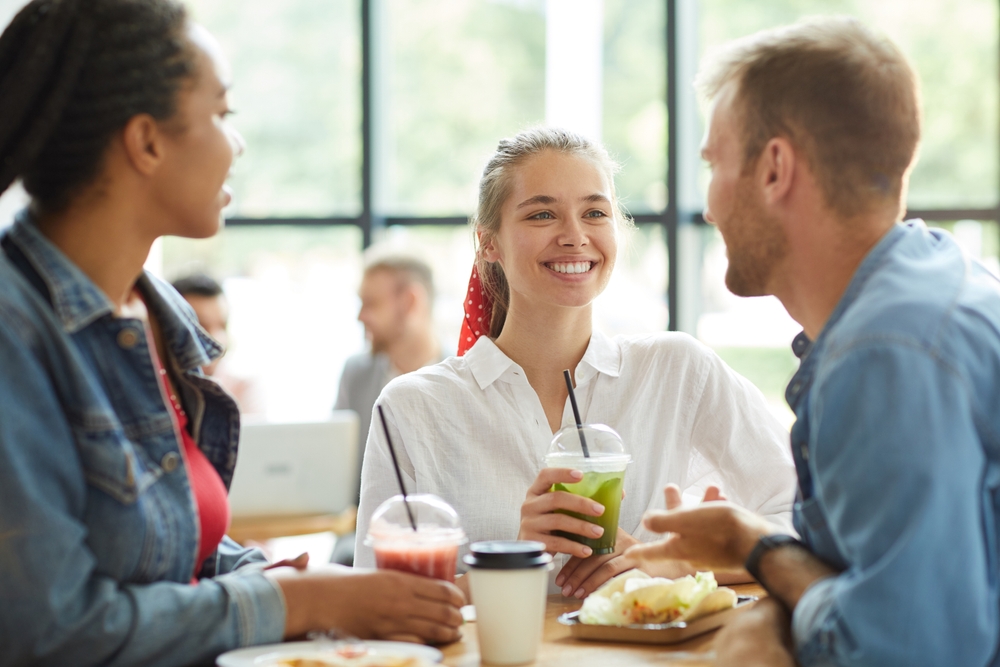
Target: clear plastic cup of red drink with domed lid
x=431 y=550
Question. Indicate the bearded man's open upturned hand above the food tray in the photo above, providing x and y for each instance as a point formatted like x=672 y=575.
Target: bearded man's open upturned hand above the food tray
x=715 y=535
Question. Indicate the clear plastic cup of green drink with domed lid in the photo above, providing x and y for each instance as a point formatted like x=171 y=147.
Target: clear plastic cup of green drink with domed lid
x=603 y=477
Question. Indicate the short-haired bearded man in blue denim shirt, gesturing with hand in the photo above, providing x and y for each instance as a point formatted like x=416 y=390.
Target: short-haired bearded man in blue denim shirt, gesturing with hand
x=812 y=135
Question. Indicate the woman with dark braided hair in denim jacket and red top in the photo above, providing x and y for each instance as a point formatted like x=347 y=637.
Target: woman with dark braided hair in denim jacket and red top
x=115 y=450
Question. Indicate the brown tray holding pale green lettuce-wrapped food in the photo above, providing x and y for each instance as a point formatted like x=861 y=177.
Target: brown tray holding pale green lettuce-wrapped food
x=634 y=607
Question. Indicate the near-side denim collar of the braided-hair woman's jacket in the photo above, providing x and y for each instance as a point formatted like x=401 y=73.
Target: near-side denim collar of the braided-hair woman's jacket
x=76 y=300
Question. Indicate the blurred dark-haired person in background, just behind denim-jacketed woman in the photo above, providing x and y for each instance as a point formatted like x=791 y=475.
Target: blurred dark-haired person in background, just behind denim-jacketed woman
x=206 y=297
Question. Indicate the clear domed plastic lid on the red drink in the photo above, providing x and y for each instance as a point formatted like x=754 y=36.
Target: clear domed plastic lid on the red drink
x=436 y=520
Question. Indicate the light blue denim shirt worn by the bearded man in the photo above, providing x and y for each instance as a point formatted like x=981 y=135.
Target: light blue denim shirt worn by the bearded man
x=897 y=448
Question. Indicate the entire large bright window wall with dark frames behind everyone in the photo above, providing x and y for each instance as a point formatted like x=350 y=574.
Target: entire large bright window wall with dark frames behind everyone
x=369 y=122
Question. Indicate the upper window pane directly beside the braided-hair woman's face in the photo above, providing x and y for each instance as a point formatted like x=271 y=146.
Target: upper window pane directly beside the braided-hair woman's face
x=296 y=71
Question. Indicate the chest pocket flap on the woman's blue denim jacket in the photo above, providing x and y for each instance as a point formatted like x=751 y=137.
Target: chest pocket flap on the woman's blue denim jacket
x=110 y=461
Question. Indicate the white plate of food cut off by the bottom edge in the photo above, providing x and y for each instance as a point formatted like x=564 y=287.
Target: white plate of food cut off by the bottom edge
x=332 y=654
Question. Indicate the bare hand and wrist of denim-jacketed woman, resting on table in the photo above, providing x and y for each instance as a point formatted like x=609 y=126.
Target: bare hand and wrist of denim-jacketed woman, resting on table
x=371 y=604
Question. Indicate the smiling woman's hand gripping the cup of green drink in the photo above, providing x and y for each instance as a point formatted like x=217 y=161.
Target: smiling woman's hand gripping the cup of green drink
x=539 y=518
